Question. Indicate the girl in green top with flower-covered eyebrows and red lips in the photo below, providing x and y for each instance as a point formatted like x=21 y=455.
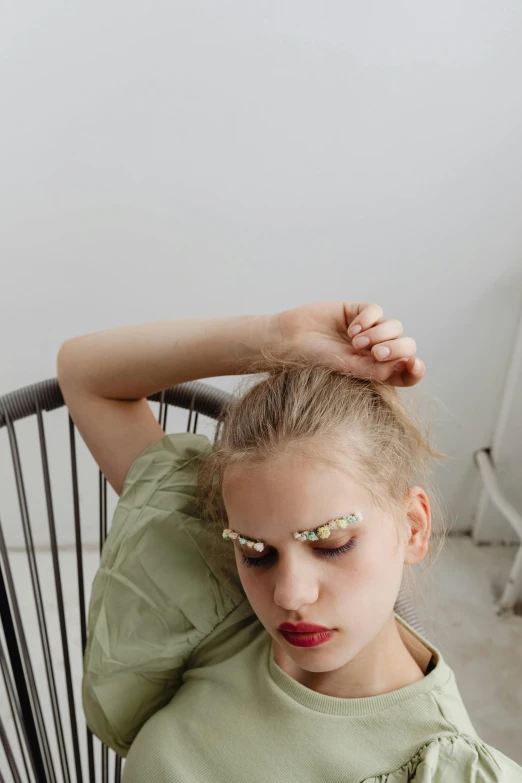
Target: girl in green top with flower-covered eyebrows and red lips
x=242 y=623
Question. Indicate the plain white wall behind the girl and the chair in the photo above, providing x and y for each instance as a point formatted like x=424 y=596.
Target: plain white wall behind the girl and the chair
x=161 y=160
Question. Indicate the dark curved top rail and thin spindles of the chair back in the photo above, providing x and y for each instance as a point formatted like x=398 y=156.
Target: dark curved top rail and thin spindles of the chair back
x=15 y=662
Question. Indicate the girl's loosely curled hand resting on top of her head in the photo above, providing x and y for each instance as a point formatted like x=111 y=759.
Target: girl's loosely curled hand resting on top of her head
x=324 y=332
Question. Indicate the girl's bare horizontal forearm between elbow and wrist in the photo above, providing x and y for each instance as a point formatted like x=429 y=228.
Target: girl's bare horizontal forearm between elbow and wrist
x=131 y=362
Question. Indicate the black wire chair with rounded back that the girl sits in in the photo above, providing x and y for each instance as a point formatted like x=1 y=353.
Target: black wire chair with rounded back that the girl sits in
x=31 y=754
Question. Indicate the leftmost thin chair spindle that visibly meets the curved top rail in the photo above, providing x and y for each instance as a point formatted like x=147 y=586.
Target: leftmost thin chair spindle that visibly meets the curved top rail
x=37 y=593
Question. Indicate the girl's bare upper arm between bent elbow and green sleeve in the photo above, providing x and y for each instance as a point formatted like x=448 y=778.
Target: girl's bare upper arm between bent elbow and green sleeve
x=116 y=432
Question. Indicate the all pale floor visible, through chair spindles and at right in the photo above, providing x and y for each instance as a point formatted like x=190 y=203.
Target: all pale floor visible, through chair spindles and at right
x=457 y=606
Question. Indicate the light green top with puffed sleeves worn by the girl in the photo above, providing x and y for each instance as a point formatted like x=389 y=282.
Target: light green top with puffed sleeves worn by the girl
x=178 y=666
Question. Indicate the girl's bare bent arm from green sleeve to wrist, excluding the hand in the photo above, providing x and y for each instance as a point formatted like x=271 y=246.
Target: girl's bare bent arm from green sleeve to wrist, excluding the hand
x=106 y=376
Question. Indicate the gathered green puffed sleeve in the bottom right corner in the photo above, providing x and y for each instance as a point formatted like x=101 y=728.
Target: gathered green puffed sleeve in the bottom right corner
x=456 y=758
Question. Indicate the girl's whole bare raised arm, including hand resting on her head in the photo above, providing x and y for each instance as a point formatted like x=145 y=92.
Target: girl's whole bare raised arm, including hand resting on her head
x=106 y=376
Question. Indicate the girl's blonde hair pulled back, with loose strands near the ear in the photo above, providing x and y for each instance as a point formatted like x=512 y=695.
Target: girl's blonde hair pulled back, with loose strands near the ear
x=358 y=424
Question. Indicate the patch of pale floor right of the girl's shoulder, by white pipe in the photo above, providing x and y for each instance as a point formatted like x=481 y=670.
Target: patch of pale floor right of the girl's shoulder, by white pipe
x=483 y=649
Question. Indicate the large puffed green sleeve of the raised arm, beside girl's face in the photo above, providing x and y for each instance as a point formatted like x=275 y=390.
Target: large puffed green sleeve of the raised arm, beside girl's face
x=158 y=593
